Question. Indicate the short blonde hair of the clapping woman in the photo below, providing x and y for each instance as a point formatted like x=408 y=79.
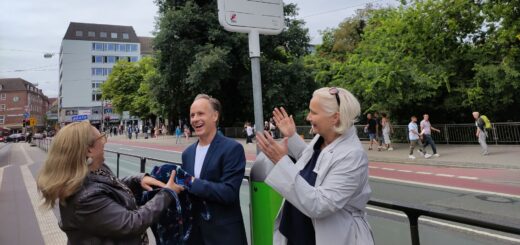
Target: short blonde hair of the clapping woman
x=349 y=108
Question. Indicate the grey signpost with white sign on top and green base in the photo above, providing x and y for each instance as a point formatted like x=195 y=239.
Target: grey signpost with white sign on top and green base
x=255 y=18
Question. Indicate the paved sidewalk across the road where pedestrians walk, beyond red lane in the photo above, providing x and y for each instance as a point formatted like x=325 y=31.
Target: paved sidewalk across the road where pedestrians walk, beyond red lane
x=501 y=156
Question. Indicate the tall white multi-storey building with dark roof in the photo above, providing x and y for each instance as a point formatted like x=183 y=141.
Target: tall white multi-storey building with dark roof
x=88 y=53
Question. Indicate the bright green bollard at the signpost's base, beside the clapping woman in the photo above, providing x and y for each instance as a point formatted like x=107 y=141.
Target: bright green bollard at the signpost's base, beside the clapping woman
x=265 y=203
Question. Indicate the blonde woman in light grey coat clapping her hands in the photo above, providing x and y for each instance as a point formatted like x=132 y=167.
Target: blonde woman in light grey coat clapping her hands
x=326 y=191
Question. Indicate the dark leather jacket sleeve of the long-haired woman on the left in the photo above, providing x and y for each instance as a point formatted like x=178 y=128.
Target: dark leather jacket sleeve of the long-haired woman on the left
x=102 y=216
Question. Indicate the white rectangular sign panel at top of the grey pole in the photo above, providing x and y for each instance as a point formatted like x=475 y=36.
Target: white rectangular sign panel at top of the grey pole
x=264 y=16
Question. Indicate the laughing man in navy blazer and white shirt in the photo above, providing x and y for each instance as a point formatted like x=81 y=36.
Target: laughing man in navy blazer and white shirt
x=217 y=165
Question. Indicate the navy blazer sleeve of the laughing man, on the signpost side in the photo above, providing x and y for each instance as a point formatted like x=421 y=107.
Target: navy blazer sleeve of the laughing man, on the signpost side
x=226 y=190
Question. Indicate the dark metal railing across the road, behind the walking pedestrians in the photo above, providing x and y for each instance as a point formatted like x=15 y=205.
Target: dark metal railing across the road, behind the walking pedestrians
x=500 y=133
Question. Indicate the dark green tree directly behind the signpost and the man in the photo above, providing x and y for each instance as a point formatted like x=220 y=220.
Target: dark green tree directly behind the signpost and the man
x=196 y=55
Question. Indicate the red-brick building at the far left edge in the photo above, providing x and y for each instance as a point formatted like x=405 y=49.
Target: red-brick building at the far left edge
x=21 y=100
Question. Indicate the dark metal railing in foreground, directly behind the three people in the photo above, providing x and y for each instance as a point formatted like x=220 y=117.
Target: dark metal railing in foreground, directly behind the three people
x=413 y=212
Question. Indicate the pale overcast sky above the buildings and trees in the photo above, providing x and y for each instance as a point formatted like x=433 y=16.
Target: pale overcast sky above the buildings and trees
x=31 y=28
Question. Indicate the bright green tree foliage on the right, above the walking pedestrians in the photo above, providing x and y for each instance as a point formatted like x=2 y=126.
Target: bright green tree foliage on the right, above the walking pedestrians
x=445 y=58
